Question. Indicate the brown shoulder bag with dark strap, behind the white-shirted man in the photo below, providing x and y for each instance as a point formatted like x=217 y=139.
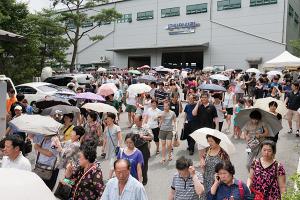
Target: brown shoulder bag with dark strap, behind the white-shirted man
x=44 y=171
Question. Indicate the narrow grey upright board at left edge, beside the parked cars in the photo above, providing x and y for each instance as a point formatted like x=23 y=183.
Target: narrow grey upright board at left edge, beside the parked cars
x=3 y=91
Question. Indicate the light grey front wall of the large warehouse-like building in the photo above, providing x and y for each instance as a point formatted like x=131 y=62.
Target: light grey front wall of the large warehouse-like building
x=233 y=35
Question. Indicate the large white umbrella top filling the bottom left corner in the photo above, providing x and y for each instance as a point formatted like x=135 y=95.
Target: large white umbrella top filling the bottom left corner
x=18 y=184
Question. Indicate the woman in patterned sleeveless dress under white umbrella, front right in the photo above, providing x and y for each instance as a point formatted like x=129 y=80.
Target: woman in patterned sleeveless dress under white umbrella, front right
x=214 y=155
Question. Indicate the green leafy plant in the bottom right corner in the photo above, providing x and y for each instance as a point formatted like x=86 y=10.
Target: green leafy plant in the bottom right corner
x=293 y=193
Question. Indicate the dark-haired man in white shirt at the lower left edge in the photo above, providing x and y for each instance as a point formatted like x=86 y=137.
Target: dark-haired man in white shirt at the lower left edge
x=13 y=154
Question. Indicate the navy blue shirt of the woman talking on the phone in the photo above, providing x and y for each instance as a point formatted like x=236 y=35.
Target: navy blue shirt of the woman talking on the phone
x=224 y=192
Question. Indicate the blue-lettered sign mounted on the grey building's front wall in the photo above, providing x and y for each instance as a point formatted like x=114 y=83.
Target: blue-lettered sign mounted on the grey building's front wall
x=182 y=28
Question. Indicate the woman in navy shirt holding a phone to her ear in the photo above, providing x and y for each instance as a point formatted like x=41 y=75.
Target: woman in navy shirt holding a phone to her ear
x=225 y=185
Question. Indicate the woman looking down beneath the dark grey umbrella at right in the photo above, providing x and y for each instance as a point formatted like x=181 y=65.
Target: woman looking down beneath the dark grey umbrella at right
x=255 y=131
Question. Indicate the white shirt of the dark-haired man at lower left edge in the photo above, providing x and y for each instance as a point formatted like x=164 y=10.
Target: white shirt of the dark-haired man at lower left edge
x=20 y=162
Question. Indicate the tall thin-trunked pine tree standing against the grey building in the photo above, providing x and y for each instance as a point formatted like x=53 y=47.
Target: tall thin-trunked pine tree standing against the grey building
x=74 y=16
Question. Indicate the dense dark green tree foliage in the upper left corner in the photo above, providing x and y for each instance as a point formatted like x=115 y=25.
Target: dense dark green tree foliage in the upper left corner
x=44 y=42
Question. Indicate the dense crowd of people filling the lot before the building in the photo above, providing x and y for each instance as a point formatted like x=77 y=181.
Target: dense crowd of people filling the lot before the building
x=154 y=116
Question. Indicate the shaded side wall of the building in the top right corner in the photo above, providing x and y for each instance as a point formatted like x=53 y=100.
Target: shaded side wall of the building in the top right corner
x=293 y=29
